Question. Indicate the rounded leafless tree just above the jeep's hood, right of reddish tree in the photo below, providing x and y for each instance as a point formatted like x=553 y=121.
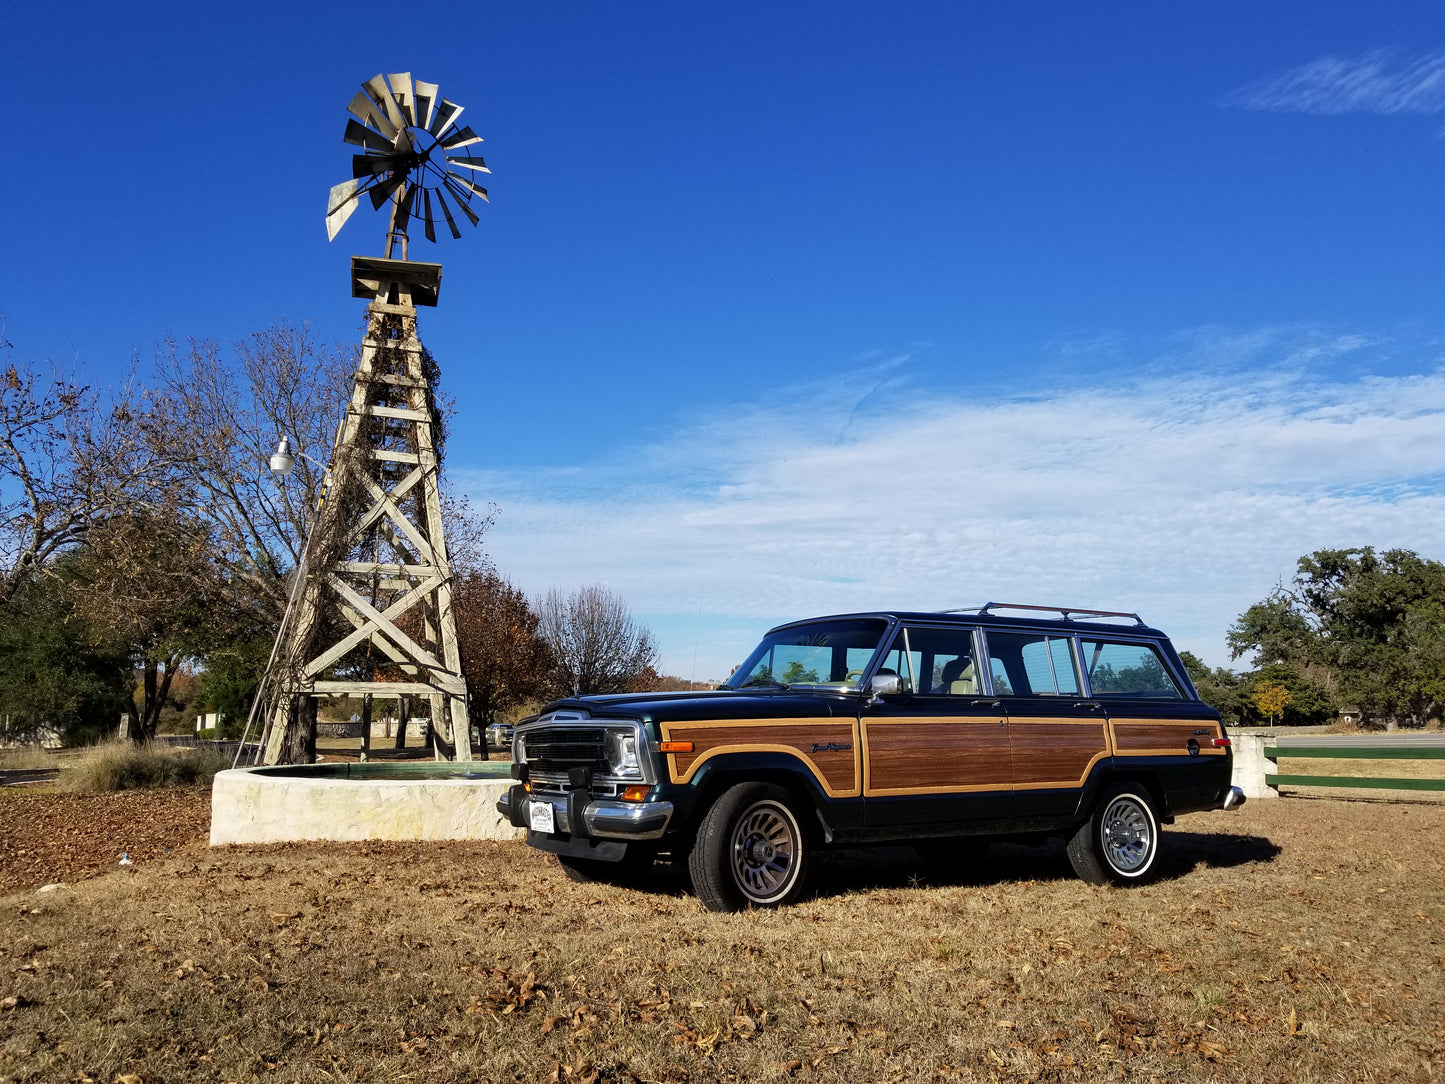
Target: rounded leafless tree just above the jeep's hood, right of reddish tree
x=598 y=645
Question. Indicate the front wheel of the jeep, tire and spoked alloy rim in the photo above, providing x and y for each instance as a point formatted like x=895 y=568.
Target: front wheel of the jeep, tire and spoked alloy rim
x=751 y=851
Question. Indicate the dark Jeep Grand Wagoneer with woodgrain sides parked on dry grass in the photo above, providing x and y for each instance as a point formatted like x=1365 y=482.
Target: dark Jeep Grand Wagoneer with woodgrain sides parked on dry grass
x=933 y=729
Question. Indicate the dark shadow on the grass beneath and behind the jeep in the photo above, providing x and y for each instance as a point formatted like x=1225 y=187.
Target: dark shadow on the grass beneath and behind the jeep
x=843 y=872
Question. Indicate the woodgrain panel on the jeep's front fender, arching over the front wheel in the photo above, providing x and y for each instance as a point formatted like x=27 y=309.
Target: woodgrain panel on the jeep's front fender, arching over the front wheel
x=829 y=747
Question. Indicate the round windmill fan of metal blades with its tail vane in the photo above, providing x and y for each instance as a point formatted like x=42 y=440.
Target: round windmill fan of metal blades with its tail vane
x=411 y=144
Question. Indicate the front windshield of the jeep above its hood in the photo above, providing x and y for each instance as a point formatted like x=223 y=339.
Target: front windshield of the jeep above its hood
x=821 y=654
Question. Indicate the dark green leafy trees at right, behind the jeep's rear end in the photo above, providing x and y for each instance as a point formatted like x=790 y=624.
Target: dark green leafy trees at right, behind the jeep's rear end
x=1353 y=631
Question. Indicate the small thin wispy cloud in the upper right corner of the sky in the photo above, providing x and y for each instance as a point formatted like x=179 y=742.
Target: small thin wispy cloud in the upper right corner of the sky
x=1379 y=82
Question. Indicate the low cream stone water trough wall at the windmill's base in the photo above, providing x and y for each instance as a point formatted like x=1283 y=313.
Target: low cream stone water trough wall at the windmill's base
x=361 y=801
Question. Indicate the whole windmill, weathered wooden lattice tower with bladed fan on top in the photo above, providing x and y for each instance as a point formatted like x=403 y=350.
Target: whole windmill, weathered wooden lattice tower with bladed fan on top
x=374 y=592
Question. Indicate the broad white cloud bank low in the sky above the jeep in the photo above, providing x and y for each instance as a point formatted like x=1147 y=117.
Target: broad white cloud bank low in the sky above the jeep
x=1181 y=498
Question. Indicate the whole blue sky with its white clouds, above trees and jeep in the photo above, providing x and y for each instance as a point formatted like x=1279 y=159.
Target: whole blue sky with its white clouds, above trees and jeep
x=791 y=309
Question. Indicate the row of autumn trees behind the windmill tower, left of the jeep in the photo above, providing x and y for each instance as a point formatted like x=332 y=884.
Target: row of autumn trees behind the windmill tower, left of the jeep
x=147 y=551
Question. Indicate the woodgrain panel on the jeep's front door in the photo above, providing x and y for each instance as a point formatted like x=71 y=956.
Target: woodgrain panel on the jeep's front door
x=937 y=757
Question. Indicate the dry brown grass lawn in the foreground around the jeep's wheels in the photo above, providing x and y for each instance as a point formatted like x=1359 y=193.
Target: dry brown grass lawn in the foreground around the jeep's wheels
x=1293 y=942
